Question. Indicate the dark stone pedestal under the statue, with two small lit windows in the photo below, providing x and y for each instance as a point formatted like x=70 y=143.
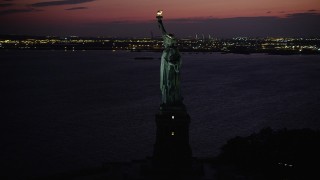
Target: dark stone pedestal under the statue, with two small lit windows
x=172 y=148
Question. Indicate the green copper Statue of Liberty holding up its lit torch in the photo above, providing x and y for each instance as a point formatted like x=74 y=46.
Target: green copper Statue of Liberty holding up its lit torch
x=170 y=68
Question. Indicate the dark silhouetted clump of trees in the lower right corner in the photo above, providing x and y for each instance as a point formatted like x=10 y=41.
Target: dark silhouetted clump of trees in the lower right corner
x=269 y=154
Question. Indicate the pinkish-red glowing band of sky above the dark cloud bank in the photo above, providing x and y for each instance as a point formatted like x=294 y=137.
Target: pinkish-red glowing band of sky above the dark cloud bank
x=143 y=10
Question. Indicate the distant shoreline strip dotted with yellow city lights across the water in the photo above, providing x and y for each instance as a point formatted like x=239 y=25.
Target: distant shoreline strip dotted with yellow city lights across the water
x=234 y=45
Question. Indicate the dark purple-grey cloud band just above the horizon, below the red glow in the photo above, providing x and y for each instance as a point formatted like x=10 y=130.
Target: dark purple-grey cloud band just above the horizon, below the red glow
x=293 y=25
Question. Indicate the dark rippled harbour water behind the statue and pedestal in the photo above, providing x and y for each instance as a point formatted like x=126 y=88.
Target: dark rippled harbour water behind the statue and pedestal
x=64 y=111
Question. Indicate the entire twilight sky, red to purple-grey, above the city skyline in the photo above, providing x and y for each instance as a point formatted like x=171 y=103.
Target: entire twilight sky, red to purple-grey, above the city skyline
x=127 y=18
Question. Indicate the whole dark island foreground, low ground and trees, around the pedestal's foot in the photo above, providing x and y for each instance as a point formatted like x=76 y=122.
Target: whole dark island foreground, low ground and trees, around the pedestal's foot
x=277 y=155
